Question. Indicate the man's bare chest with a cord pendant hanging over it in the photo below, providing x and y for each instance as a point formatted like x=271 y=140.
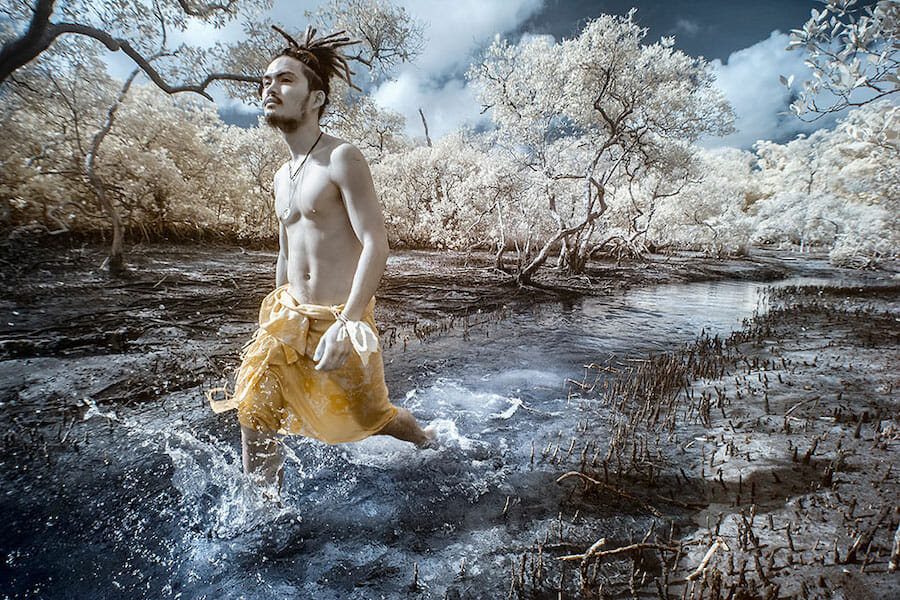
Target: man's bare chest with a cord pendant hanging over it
x=308 y=194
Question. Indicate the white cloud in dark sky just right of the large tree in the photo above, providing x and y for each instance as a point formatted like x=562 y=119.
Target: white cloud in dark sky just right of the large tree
x=750 y=81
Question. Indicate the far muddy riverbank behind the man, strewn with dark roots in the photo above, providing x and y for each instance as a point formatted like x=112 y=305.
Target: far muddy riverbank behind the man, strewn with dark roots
x=185 y=311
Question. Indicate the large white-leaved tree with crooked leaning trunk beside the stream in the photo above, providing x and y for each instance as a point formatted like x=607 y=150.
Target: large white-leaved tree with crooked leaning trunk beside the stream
x=602 y=111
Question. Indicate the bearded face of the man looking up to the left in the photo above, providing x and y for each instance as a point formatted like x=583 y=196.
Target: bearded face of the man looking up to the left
x=287 y=99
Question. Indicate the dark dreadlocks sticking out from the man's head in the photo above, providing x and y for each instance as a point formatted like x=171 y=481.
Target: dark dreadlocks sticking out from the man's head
x=321 y=58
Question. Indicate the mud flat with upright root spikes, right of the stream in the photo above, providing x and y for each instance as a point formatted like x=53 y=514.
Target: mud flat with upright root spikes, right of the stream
x=769 y=463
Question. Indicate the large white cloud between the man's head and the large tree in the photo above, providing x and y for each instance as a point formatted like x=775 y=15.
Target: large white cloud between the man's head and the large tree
x=454 y=34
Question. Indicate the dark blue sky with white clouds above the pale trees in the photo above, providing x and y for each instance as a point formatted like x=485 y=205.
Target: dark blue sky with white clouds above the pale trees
x=744 y=41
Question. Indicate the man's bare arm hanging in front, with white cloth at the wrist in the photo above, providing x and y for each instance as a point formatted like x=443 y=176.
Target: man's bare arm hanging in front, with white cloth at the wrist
x=351 y=174
